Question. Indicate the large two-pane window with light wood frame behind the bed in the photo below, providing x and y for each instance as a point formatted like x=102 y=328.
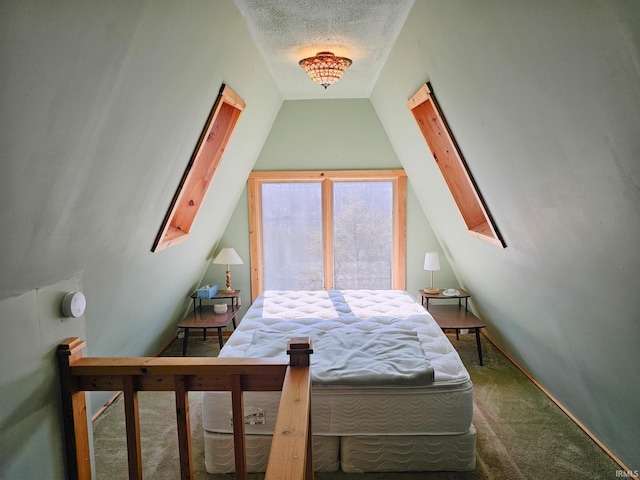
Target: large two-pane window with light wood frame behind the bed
x=318 y=230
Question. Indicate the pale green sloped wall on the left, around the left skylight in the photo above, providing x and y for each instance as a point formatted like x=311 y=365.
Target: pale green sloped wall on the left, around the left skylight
x=102 y=105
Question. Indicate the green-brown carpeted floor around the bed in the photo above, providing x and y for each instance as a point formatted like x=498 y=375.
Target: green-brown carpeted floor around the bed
x=521 y=433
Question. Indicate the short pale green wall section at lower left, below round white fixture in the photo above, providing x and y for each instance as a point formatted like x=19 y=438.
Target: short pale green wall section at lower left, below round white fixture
x=32 y=328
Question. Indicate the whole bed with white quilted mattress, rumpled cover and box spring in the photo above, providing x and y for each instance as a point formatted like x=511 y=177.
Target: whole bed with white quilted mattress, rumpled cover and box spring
x=412 y=413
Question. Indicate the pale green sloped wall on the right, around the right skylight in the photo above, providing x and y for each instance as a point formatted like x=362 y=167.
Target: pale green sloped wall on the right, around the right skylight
x=544 y=101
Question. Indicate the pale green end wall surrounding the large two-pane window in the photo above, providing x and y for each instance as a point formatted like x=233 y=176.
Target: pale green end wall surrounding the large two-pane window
x=331 y=135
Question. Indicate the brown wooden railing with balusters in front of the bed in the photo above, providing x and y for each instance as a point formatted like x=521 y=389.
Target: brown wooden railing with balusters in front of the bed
x=290 y=457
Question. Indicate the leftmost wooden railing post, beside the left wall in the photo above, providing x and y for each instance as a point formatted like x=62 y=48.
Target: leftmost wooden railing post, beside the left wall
x=74 y=411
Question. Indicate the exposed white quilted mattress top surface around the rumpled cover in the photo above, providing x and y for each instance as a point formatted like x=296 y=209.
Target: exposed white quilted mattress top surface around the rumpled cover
x=366 y=310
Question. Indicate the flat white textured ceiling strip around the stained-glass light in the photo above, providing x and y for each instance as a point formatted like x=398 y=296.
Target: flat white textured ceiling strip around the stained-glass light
x=286 y=31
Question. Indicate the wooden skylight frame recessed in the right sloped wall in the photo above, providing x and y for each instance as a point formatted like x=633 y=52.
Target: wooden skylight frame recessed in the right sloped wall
x=452 y=165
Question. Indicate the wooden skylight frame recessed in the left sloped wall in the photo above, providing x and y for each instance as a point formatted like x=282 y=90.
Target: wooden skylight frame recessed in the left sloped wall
x=200 y=170
